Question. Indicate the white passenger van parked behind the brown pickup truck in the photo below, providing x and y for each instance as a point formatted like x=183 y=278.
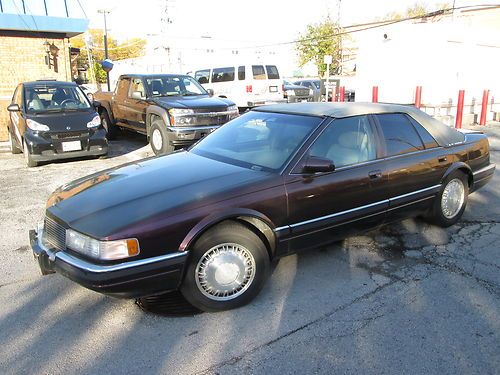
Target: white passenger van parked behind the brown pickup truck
x=246 y=85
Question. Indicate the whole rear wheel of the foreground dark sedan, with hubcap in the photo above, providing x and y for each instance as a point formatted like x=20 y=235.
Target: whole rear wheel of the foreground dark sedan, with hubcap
x=450 y=203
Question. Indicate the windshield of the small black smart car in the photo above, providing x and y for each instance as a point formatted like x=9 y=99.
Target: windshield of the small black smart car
x=54 y=98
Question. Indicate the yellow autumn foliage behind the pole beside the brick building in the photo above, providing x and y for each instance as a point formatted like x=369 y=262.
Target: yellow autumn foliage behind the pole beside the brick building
x=116 y=51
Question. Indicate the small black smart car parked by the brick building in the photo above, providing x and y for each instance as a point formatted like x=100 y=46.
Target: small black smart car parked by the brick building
x=54 y=120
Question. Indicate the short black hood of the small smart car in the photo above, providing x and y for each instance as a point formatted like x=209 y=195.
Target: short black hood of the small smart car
x=64 y=121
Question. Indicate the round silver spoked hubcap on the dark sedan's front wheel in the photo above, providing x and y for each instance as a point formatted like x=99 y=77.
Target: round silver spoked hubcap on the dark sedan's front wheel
x=225 y=272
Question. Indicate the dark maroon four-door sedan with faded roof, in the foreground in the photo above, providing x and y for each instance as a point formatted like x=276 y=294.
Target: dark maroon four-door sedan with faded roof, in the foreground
x=279 y=179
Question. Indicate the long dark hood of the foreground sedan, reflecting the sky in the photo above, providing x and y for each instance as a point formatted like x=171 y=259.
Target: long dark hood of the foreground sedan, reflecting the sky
x=107 y=202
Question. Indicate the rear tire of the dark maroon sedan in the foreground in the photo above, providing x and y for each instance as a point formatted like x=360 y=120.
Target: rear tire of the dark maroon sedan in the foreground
x=438 y=214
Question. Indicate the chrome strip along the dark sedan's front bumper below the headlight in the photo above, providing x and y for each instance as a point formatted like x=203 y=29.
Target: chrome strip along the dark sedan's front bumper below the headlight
x=97 y=268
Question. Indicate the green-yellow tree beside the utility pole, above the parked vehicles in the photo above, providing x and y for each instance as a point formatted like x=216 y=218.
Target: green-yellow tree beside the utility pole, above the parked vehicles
x=319 y=40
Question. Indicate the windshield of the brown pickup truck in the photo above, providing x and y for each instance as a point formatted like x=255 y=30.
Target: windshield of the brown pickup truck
x=174 y=86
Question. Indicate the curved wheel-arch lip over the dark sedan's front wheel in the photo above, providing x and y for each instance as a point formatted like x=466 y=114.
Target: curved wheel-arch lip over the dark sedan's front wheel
x=265 y=226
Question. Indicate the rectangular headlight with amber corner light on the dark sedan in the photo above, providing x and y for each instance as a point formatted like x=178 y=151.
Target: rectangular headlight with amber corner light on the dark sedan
x=103 y=250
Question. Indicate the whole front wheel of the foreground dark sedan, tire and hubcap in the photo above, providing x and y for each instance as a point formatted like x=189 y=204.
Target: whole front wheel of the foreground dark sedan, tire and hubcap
x=242 y=248
